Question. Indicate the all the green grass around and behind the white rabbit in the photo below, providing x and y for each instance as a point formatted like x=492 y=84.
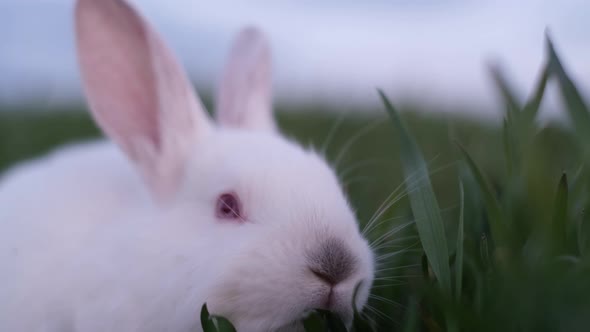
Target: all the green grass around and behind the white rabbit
x=488 y=230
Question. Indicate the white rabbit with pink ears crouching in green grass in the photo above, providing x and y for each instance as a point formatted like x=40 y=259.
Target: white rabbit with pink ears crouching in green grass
x=137 y=235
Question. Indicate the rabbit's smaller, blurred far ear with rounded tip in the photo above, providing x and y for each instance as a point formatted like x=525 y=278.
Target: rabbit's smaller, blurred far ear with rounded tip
x=244 y=99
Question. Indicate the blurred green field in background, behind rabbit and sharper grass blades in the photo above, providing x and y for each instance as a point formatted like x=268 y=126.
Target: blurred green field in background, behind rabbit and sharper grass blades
x=365 y=146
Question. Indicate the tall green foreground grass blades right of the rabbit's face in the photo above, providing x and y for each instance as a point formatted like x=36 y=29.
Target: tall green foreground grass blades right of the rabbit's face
x=527 y=267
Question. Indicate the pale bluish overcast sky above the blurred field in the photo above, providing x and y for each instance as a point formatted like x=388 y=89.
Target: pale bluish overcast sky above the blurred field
x=433 y=51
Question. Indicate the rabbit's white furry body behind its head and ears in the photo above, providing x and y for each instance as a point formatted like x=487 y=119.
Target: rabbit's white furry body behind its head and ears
x=62 y=219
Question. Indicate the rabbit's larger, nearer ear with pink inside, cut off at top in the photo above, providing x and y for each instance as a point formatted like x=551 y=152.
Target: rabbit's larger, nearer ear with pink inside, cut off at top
x=138 y=93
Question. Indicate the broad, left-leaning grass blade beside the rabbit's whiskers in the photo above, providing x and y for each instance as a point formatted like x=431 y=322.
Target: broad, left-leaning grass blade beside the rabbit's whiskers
x=424 y=204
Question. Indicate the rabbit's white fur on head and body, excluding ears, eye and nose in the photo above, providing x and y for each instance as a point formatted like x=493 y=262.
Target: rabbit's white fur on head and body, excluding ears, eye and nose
x=86 y=246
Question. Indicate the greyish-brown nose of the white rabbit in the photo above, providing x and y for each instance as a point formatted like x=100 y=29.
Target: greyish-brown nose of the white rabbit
x=332 y=262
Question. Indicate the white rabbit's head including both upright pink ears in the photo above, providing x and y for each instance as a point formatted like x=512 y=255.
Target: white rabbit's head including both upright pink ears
x=285 y=240
